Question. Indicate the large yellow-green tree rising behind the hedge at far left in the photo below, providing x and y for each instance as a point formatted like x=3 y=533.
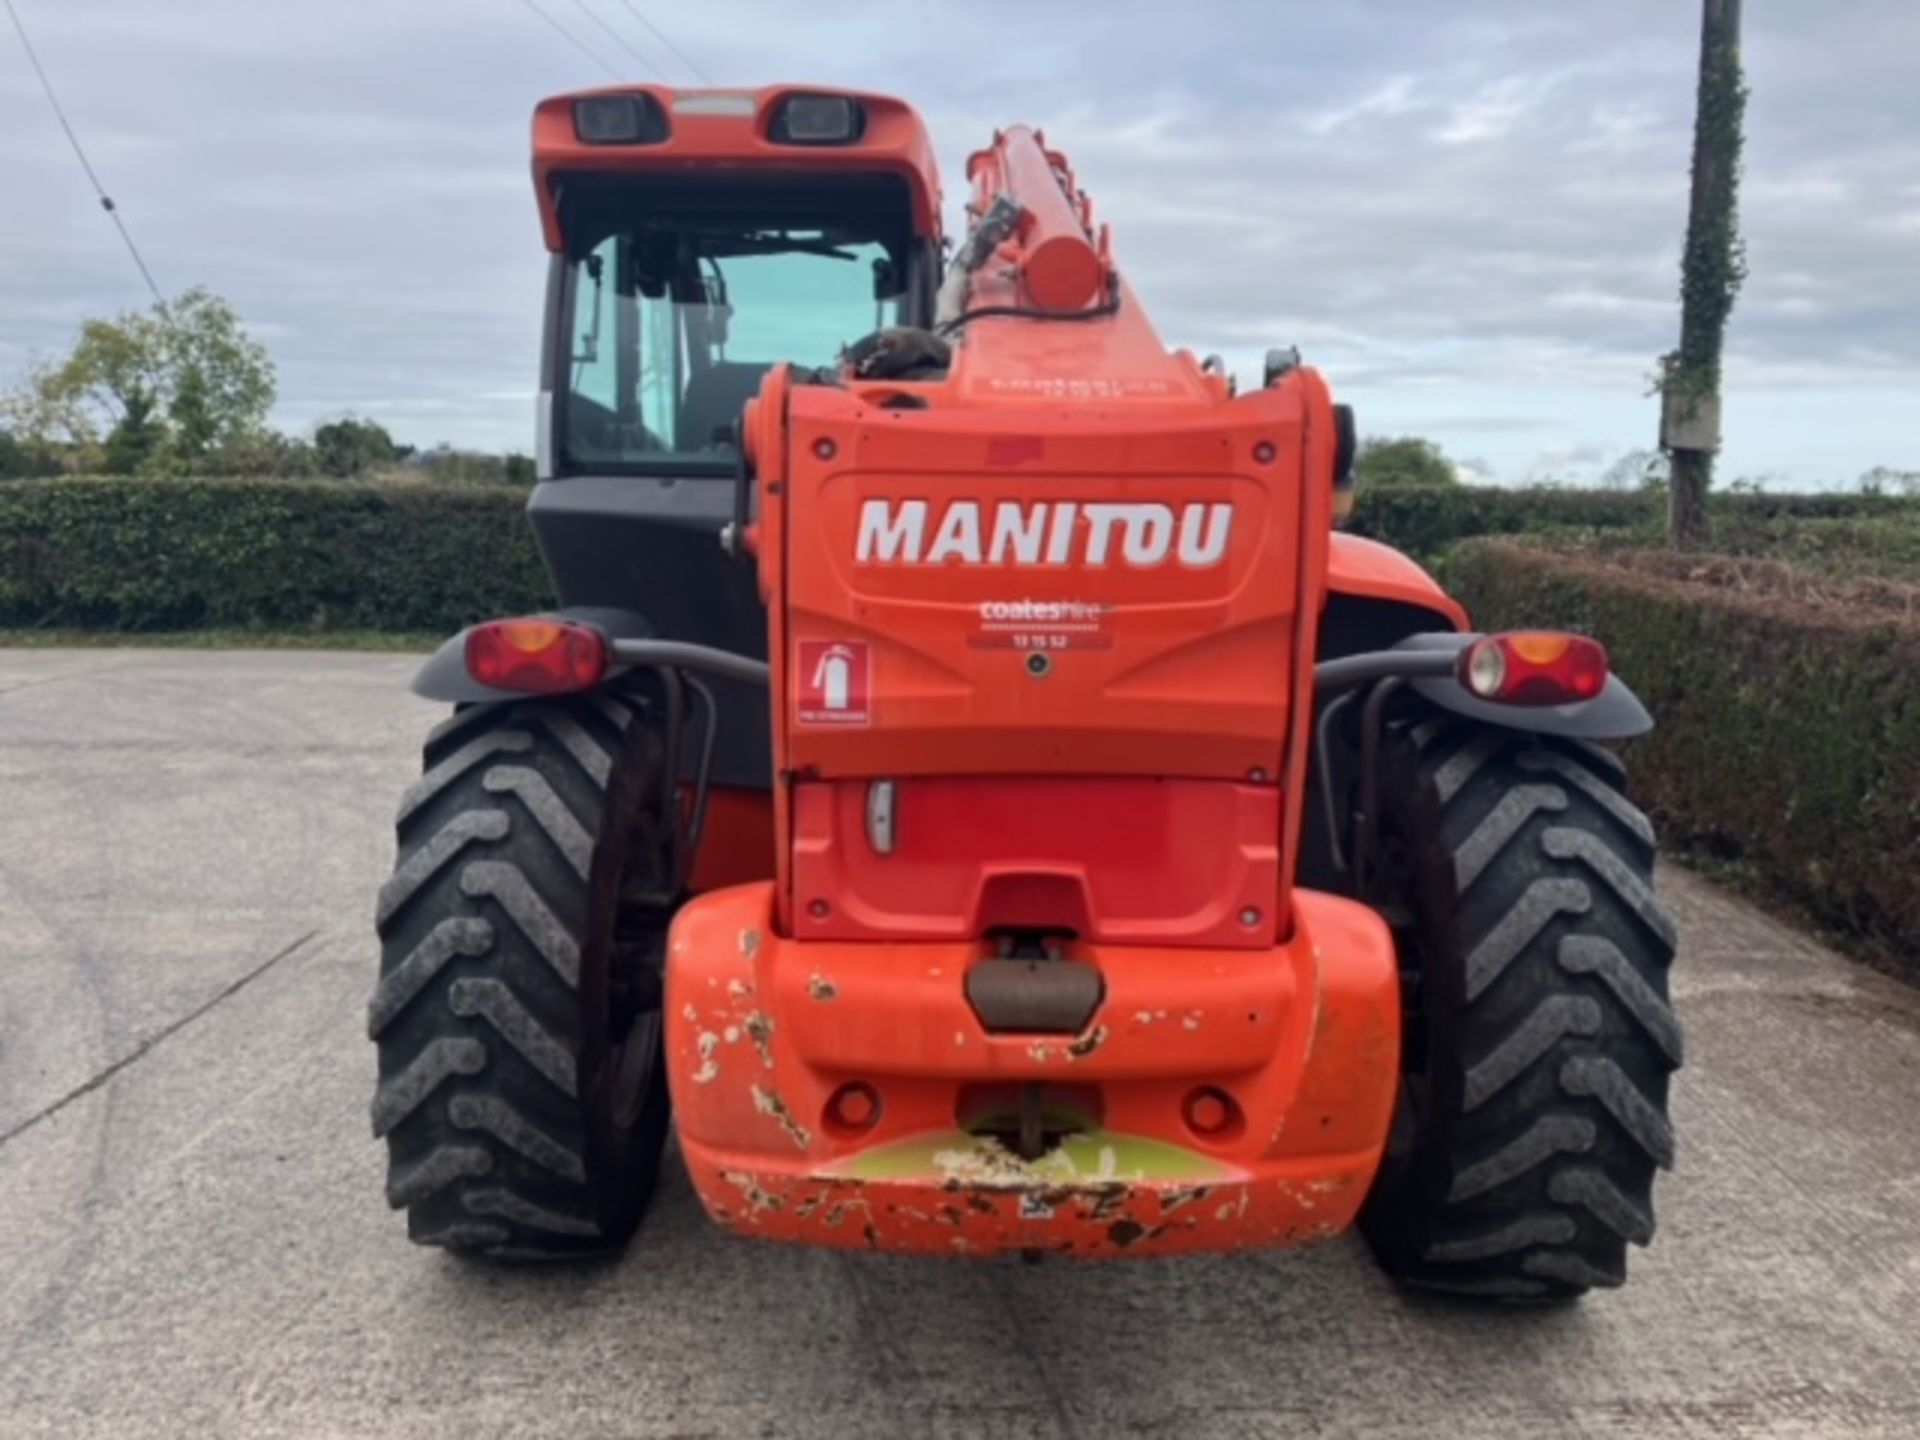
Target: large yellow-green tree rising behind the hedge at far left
x=166 y=387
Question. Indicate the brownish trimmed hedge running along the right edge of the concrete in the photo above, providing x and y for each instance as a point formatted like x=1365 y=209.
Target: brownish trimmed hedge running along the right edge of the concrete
x=1788 y=719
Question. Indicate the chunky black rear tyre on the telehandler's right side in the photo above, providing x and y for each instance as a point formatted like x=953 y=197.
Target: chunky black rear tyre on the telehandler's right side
x=1539 y=1038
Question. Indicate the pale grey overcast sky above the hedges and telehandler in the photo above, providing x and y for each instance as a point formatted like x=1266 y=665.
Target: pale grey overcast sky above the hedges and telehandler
x=1466 y=212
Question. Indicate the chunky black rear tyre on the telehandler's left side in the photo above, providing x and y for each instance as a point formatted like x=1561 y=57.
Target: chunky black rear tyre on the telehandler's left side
x=523 y=1090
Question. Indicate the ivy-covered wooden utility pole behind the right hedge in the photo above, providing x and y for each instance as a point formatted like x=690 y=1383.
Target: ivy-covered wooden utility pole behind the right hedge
x=1712 y=272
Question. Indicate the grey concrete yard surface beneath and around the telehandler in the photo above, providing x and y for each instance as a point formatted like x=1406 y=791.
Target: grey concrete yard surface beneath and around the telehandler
x=193 y=1237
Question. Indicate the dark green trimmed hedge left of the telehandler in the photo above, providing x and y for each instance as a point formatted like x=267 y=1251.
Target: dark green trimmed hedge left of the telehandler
x=252 y=554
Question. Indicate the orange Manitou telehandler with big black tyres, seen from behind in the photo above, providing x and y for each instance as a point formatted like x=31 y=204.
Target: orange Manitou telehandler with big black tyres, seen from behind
x=971 y=786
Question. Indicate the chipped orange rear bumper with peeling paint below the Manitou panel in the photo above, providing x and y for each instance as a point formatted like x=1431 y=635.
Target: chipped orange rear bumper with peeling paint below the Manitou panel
x=763 y=1034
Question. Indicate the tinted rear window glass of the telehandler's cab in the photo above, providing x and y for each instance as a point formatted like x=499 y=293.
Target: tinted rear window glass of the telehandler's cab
x=675 y=320
